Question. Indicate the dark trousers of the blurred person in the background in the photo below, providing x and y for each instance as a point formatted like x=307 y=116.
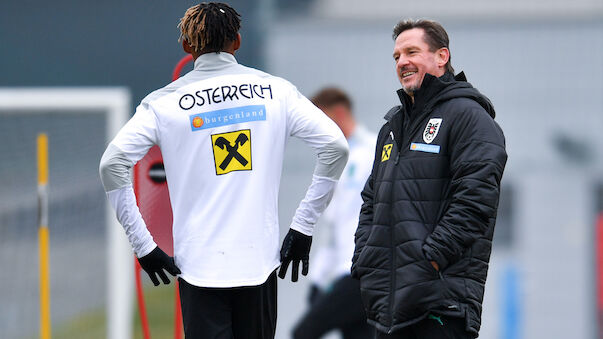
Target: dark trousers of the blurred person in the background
x=341 y=308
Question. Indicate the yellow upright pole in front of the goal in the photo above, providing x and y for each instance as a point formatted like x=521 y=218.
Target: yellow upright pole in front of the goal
x=43 y=239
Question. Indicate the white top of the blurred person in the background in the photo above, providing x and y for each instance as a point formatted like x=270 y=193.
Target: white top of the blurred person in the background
x=335 y=258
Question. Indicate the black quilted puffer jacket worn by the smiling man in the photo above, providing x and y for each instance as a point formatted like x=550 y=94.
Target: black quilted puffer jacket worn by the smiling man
x=432 y=196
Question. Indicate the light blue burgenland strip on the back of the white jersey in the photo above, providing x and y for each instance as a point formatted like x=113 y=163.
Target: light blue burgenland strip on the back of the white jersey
x=229 y=116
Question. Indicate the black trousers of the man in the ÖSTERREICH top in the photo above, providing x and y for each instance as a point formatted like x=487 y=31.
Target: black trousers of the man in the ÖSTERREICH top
x=229 y=313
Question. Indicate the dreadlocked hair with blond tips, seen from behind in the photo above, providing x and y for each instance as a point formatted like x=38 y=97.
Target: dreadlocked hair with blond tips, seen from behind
x=209 y=26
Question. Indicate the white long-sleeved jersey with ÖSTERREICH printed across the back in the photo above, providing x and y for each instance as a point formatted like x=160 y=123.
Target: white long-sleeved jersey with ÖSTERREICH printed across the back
x=222 y=130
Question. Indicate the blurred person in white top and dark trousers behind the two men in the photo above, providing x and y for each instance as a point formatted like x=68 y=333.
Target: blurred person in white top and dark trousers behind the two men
x=334 y=295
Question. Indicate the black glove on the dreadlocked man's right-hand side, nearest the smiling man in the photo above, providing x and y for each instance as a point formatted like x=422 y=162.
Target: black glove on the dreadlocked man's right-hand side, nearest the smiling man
x=296 y=247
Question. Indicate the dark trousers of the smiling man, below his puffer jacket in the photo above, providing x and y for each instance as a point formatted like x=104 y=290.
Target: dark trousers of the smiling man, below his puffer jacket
x=432 y=327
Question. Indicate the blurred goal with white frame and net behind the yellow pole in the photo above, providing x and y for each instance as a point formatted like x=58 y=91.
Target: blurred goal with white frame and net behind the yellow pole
x=90 y=261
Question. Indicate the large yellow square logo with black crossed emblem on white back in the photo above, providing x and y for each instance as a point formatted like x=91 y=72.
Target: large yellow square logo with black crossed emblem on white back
x=232 y=151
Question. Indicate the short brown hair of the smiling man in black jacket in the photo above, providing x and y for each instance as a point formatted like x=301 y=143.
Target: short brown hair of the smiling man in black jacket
x=435 y=35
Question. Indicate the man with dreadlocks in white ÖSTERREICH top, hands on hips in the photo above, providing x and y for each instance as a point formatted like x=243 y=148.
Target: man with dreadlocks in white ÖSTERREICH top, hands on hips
x=222 y=130
